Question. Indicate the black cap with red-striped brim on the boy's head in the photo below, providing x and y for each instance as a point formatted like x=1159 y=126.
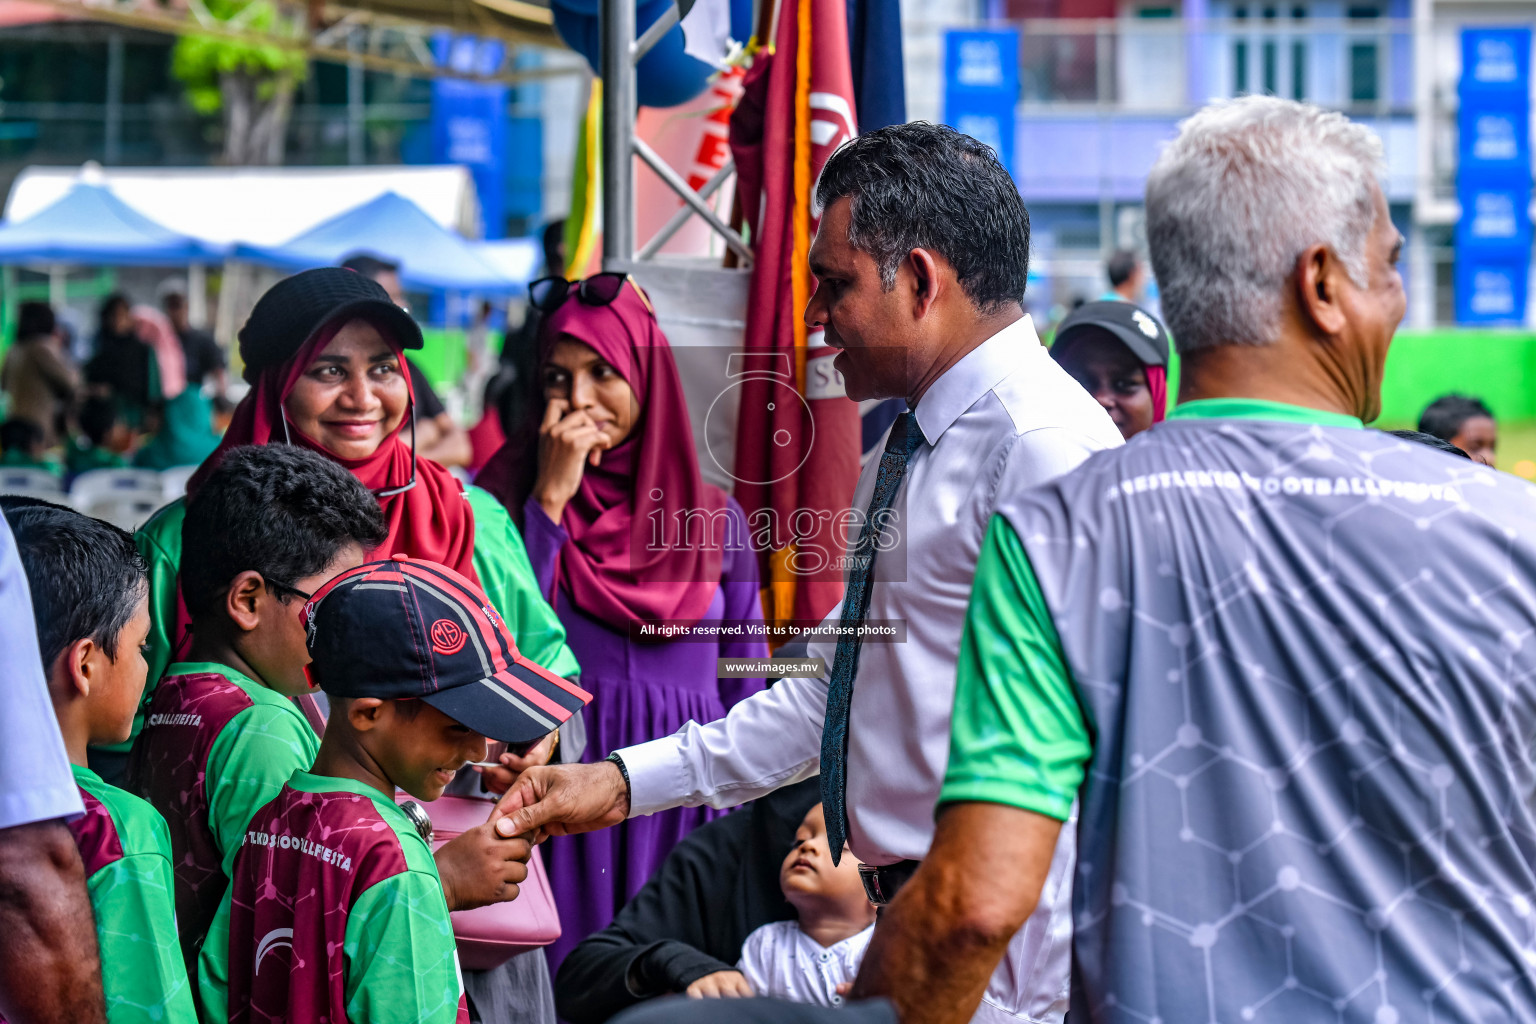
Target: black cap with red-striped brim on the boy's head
x=409 y=629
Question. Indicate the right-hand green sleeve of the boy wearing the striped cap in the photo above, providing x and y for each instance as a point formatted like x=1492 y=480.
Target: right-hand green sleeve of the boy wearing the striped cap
x=402 y=960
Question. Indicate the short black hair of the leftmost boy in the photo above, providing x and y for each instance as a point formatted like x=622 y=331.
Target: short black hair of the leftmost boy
x=85 y=575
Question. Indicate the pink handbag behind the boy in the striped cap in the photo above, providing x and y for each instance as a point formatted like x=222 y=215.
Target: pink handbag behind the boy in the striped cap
x=488 y=937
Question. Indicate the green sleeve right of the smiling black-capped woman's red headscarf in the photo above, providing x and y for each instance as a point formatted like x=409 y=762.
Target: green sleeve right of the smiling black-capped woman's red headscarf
x=508 y=576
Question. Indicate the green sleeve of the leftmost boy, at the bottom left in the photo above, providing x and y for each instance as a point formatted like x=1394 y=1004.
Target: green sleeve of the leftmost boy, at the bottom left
x=144 y=976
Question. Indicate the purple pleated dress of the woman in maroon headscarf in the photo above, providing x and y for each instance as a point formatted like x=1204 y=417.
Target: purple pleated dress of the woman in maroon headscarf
x=641 y=692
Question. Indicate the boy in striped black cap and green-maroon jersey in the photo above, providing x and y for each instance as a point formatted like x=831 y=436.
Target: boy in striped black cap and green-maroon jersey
x=336 y=911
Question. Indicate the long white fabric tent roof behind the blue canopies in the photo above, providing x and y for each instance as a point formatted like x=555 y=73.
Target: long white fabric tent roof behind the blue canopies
x=262 y=206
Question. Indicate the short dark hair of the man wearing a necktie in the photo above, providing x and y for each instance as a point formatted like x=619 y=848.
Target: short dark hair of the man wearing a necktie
x=927 y=187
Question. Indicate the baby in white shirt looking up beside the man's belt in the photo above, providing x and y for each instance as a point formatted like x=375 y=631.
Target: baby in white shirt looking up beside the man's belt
x=809 y=960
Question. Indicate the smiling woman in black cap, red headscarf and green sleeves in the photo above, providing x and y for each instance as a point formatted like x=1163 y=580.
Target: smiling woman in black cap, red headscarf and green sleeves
x=323 y=358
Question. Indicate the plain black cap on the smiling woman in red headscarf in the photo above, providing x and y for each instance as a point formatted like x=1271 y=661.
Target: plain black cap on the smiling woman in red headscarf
x=294 y=309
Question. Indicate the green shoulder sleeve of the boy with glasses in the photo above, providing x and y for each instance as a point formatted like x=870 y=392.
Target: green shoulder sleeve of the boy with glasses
x=248 y=765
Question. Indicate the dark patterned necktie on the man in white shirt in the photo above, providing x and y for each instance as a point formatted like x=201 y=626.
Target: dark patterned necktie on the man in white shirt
x=899 y=448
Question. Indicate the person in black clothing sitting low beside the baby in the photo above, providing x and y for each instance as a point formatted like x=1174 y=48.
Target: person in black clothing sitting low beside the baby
x=684 y=930
